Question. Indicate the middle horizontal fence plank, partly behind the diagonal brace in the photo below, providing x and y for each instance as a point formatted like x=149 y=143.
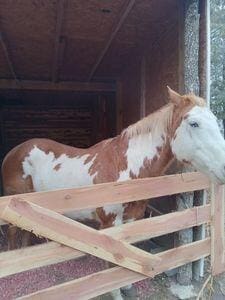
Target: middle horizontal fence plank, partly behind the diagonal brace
x=12 y=262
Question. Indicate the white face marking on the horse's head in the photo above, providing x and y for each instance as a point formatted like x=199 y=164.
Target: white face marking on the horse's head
x=199 y=141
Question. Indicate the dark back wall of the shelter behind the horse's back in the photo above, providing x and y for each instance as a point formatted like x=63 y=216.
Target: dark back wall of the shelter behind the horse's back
x=77 y=120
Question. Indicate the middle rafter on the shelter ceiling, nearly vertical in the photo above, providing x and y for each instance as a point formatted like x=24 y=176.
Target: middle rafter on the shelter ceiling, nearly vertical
x=58 y=40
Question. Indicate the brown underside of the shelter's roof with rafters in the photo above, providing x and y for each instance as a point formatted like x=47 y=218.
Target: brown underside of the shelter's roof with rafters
x=67 y=40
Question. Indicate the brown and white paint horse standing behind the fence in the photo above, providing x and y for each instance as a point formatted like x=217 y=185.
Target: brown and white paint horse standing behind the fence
x=184 y=129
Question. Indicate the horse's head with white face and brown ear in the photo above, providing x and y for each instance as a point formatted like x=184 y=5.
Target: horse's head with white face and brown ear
x=195 y=136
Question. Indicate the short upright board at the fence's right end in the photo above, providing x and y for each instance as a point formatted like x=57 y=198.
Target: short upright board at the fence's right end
x=217 y=229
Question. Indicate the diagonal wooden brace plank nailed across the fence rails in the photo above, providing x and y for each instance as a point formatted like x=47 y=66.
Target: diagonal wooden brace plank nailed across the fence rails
x=73 y=234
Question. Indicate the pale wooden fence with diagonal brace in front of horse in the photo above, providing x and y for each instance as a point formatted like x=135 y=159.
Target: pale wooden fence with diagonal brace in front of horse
x=42 y=214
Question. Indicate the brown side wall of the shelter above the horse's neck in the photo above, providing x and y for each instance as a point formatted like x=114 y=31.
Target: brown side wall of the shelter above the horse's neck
x=161 y=68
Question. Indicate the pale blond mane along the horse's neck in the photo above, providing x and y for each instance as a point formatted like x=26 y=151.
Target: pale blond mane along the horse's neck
x=157 y=122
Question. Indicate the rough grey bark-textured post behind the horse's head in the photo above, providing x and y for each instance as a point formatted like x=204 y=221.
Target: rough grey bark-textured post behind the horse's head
x=189 y=82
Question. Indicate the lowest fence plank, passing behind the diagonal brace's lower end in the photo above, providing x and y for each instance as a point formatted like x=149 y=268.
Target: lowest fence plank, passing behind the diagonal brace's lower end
x=110 y=279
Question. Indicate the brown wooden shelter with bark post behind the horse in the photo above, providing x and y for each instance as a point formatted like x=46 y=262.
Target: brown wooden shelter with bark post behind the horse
x=81 y=71
